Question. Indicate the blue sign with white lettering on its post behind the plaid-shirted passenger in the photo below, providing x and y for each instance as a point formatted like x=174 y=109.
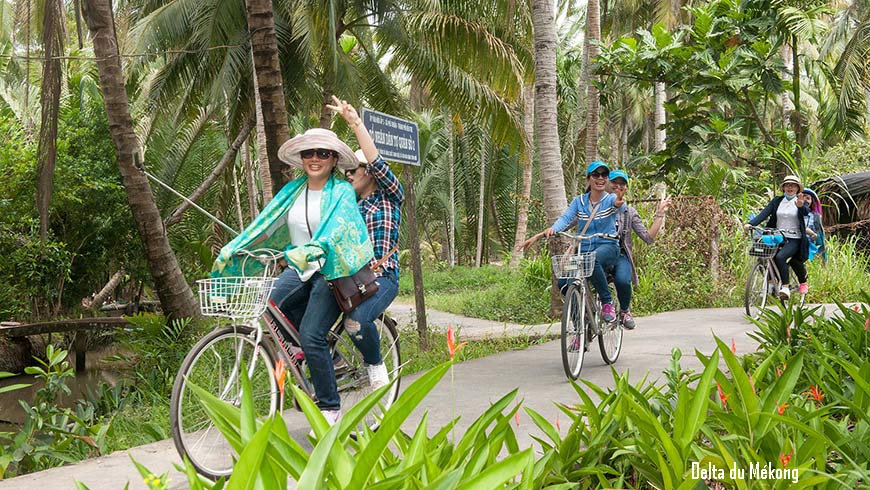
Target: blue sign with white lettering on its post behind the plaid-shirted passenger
x=397 y=140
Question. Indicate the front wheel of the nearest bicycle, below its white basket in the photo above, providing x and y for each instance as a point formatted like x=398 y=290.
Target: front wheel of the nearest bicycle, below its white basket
x=214 y=364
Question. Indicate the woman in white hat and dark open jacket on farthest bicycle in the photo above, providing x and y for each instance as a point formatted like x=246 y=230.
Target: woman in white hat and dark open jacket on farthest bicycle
x=786 y=213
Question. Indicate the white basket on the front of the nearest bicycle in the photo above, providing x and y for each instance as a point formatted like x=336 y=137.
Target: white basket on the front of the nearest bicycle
x=235 y=297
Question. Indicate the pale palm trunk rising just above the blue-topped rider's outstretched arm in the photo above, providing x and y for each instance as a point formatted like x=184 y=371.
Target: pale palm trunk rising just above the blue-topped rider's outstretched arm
x=546 y=129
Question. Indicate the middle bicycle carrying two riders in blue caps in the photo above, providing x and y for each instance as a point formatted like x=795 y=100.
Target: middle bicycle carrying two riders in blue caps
x=582 y=320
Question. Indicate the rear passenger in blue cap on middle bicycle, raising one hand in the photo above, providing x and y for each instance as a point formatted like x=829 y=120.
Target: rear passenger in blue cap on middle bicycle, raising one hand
x=625 y=274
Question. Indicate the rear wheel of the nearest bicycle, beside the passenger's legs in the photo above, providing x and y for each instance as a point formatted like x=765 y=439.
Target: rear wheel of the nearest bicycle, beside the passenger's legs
x=352 y=375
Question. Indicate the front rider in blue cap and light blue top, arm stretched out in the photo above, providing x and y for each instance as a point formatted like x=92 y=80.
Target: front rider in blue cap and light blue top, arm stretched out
x=602 y=207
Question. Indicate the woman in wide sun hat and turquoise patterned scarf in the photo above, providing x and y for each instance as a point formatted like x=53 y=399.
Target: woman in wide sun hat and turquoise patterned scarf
x=315 y=220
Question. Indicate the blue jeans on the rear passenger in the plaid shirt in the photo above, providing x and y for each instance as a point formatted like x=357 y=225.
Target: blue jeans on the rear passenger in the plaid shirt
x=360 y=323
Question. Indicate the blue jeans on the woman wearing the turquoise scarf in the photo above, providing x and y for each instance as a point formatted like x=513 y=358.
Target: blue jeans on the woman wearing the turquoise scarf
x=311 y=306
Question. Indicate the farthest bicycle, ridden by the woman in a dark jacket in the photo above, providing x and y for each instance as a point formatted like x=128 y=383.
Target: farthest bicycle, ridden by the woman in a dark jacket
x=763 y=279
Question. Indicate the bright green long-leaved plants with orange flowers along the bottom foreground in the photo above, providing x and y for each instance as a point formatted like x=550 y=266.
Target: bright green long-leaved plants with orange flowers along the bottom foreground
x=793 y=414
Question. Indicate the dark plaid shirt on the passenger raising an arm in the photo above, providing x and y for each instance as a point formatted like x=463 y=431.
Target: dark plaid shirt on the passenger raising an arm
x=381 y=211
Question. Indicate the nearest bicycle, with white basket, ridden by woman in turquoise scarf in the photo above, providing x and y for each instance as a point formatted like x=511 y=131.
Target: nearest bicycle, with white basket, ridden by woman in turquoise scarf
x=260 y=337
